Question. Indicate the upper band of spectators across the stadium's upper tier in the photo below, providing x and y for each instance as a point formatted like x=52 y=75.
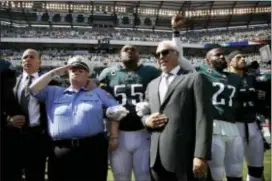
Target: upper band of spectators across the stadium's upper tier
x=211 y=36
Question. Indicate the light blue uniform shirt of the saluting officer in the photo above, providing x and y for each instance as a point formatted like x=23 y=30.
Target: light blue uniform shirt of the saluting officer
x=75 y=114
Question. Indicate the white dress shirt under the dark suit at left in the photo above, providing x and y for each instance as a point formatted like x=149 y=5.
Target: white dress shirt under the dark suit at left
x=33 y=106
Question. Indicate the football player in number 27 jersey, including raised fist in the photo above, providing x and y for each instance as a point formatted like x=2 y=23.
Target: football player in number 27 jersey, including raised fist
x=227 y=153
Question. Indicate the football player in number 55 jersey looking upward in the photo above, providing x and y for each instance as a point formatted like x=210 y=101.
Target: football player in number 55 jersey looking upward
x=127 y=82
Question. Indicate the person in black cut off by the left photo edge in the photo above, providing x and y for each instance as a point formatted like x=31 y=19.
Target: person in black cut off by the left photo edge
x=9 y=110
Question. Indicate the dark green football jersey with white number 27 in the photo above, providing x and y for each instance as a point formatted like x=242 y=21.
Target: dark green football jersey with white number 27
x=226 y=87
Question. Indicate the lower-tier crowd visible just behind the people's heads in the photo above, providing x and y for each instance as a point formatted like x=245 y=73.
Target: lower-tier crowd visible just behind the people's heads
x=56 y=57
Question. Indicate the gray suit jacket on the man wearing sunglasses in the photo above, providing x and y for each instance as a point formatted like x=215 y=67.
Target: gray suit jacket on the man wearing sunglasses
x=188 y=133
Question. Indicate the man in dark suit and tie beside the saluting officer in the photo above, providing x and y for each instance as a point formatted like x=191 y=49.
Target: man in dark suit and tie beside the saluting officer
x=30 y=136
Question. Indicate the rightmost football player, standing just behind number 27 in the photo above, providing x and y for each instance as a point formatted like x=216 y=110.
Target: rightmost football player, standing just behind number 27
x=246 y=117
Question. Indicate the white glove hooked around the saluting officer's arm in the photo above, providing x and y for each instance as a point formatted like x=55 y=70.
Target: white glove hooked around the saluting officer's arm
x=116 y=112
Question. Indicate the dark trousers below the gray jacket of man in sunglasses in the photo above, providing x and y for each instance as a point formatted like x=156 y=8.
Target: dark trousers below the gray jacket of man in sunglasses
x=158 y=173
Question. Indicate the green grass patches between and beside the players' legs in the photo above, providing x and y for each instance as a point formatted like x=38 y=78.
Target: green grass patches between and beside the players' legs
x=267 y=169
